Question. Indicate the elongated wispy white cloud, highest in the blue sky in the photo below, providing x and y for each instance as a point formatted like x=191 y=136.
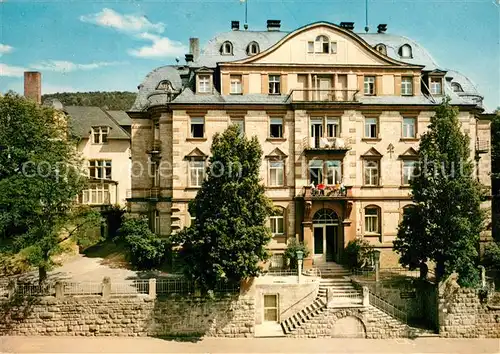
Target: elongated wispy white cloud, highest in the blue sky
x=126 y=23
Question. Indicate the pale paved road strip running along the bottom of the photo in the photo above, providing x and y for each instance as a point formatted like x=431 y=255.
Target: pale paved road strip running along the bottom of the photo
x=225 y=345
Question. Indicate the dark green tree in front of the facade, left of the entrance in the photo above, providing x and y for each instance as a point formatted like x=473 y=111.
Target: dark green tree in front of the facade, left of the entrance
x=228 y=237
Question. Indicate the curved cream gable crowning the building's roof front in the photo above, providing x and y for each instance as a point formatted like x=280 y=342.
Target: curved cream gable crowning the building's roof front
x=350 y=49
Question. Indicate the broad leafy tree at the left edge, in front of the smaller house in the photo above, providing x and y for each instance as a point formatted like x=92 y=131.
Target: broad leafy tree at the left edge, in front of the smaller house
x=40 y=177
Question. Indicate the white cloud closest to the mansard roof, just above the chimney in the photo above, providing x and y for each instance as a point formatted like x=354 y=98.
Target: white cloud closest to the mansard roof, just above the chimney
x=161 y=47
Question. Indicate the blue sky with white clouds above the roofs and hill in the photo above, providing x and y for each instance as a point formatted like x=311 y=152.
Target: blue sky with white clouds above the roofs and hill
x=95 y=45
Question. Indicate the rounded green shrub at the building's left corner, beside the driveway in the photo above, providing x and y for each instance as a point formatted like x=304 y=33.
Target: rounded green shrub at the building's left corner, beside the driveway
x=146 y=250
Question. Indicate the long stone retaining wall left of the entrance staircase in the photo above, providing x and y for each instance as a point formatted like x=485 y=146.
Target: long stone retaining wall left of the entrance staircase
x=133 y=316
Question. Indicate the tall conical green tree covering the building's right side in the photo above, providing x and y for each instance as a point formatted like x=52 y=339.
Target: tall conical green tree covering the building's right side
x=446 y=220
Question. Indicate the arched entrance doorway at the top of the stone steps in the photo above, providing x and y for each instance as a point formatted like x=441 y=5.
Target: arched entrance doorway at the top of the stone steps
x=325 y=236
